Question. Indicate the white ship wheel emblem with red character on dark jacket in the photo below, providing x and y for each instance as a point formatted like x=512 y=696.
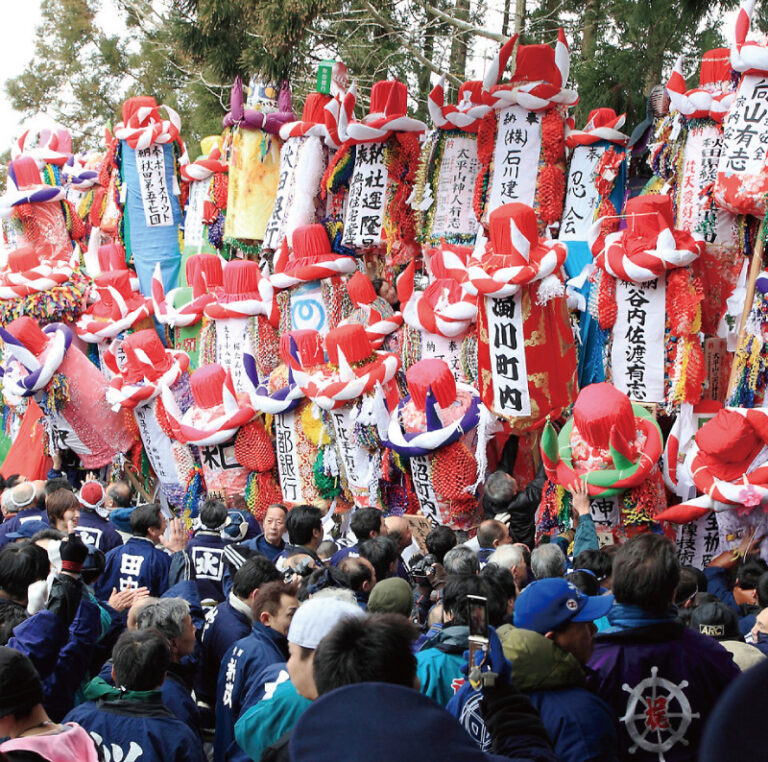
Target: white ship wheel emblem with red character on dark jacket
x=658 y=714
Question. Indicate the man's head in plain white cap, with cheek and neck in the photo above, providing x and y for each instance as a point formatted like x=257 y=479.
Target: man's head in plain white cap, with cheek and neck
x=313 y=620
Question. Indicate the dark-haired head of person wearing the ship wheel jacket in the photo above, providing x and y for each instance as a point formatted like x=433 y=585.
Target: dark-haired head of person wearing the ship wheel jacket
x=646 y=573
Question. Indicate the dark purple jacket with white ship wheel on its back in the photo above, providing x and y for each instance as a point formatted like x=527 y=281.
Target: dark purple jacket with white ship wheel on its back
x=661 y=680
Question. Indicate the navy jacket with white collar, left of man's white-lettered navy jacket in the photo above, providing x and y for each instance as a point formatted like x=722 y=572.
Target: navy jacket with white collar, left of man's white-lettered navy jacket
x=224 y=625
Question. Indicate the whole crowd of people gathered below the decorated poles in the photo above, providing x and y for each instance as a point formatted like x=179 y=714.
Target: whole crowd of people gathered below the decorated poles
x=125 y=637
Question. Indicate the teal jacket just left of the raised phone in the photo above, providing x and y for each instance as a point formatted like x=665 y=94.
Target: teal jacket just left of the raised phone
x=439 y=663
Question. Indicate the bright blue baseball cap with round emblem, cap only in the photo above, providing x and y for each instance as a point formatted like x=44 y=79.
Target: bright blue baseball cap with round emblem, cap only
x=547 y=604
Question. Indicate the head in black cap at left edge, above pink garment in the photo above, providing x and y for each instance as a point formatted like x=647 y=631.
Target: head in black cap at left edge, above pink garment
x=21 y=691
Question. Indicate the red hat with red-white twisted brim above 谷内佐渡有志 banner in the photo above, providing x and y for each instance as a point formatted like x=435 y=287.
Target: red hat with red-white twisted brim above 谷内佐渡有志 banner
x=649 y=245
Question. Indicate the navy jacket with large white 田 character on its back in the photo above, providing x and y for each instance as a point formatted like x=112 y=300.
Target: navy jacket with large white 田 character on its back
x=138 y=563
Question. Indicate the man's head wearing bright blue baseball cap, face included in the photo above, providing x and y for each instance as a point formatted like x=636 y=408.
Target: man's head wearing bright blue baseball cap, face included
x=557 y=609
